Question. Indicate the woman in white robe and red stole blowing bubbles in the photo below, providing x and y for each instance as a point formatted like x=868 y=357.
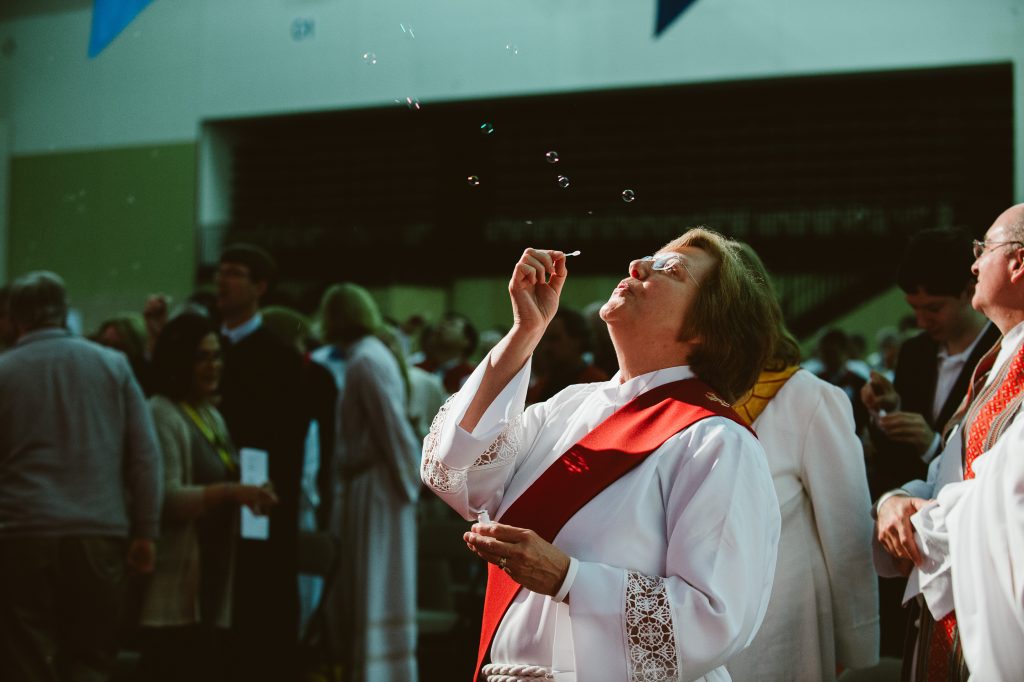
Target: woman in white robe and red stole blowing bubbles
x=636 y=521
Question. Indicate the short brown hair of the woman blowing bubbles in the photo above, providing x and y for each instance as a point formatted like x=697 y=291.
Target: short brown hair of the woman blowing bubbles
x=732 y=316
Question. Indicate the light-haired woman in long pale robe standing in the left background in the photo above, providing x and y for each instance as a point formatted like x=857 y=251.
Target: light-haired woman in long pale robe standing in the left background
x=373 y=601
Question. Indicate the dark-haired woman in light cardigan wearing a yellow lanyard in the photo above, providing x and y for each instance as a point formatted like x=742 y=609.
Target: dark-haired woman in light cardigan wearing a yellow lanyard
x=188 y=601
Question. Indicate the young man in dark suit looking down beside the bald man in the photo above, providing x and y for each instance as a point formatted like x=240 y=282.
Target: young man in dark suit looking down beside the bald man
x=932 y=376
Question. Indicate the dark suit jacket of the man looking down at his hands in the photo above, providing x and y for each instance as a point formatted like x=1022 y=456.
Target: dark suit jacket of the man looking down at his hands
x=917 y=374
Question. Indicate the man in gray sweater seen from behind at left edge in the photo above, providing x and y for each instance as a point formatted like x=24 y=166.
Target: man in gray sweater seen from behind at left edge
x=80 y=492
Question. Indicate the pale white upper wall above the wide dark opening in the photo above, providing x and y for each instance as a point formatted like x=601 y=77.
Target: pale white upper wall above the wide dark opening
x=183 y=62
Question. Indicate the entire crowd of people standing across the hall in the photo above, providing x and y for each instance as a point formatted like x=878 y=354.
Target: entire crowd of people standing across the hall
x=661 y=486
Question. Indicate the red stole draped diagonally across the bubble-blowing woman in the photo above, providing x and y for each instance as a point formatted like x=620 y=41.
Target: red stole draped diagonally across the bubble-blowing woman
x=617 y=446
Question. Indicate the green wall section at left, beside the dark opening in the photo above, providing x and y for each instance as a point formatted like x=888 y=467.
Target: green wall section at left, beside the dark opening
x=117 y=225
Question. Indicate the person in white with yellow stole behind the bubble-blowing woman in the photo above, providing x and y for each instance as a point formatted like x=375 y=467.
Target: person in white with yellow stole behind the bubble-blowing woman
x=824 y=612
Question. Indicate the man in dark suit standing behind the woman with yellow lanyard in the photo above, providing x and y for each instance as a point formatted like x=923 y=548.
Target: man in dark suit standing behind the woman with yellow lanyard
x=263 y=405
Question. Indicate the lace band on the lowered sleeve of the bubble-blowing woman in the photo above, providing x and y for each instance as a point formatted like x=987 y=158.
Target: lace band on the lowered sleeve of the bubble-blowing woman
x=651 y=642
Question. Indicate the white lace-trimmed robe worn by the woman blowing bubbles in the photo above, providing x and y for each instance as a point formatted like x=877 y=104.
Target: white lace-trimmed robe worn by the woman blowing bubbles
x=672 y=565
